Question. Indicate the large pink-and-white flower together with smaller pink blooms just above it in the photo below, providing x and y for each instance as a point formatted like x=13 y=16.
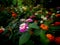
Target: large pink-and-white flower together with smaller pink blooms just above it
x=24 y=26
